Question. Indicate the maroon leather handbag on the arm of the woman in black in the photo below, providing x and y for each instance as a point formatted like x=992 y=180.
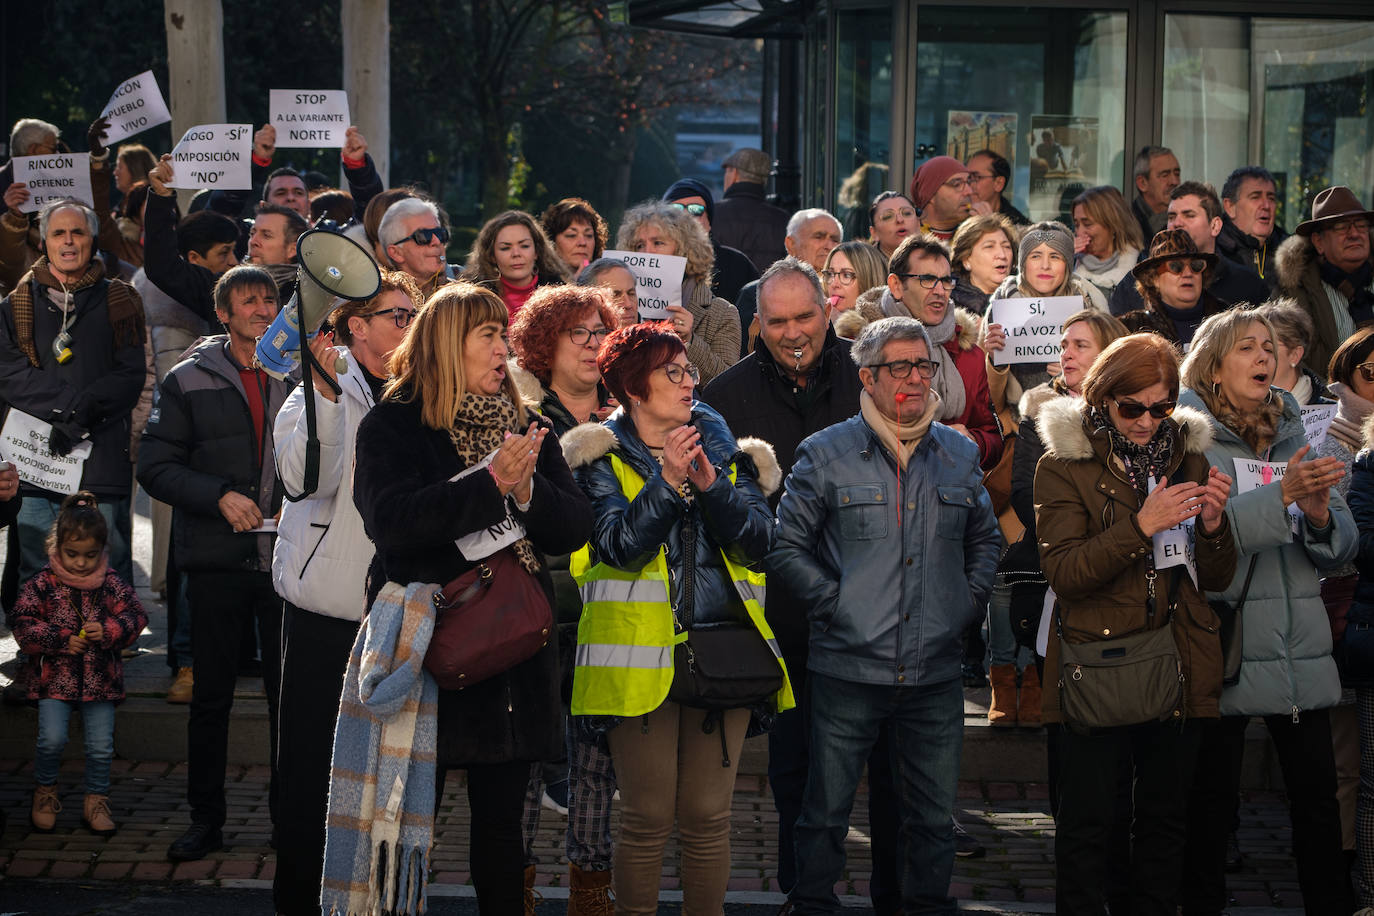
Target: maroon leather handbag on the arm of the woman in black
x=490 y=620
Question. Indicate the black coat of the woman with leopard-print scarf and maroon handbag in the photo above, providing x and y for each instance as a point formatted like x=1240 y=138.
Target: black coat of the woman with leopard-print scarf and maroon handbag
x=414 y=513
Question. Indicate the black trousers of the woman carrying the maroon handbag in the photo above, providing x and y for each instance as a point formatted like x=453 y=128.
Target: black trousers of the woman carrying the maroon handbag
x=497 y=859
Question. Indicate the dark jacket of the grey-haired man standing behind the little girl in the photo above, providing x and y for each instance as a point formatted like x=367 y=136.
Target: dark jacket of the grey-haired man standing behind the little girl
x=199 y=446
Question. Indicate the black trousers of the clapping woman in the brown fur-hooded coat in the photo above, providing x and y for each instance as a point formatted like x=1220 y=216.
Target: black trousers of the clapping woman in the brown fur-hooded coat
x=1162 y=757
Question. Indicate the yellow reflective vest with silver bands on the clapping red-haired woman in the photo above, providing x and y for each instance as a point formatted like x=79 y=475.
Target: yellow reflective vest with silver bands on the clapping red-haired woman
x=626 y=637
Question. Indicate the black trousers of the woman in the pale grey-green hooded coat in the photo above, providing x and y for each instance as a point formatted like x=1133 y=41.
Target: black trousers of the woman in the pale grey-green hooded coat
x=1309 y=764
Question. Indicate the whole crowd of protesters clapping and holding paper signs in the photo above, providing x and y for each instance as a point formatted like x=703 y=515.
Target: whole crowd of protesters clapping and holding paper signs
x=583 y=513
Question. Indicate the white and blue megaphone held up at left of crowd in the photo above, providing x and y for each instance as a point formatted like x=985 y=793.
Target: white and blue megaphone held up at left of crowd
x=333 y=267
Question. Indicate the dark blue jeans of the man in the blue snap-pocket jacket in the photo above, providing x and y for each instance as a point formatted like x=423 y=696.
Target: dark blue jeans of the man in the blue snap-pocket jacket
x=925 y=727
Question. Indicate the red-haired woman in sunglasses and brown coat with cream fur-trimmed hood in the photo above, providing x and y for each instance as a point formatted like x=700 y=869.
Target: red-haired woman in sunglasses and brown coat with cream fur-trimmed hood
x=1122 y=468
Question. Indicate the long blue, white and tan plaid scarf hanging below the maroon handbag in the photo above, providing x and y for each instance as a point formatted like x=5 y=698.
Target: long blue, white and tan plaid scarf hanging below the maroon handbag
x=381 y=818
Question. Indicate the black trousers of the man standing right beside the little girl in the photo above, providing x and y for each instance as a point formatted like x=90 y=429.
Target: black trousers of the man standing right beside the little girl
x=222 y=605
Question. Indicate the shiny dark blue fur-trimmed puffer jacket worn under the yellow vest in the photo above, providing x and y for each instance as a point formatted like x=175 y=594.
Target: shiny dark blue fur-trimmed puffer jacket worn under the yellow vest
x=629 y=534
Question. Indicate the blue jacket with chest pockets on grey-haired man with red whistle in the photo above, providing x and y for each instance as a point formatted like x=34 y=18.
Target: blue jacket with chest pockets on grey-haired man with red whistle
x=890 y=599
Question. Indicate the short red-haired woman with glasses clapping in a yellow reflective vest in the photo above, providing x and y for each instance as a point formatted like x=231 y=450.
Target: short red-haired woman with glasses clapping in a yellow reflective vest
x=681 y=520
